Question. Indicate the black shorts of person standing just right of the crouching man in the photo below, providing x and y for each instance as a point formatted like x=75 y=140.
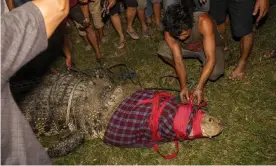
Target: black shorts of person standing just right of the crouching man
x=240 y=12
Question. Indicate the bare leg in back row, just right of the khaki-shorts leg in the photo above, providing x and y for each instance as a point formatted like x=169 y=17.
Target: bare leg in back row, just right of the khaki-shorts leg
x=116 y=21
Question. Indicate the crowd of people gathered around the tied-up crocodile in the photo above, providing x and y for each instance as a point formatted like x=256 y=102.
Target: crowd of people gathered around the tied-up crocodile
x=192 y=28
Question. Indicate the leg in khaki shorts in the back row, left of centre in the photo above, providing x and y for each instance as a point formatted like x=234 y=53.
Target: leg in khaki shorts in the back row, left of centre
x=95 y=10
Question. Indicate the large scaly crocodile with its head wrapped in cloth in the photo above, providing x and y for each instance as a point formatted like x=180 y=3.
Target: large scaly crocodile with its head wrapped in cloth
x=80 y=106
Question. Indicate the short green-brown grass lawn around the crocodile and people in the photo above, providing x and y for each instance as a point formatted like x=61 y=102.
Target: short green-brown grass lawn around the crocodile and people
x=246 y=108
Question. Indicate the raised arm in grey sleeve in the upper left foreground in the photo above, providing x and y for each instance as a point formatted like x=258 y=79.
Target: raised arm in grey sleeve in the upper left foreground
x=25 y=30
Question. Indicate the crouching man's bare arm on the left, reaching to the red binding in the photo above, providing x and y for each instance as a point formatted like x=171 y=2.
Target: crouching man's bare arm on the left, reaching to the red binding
x=178 y=64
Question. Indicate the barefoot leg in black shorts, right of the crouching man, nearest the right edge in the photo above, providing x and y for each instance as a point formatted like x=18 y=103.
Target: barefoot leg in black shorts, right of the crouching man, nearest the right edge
x=242 y=27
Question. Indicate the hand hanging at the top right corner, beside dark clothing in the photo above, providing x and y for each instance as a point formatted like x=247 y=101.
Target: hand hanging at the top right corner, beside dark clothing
x=261 y=7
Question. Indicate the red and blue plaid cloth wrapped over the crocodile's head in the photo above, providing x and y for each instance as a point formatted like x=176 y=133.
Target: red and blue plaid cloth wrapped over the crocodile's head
x=129 y=125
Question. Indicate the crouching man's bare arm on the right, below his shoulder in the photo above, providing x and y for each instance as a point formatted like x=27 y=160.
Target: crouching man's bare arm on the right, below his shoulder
x=206 y=28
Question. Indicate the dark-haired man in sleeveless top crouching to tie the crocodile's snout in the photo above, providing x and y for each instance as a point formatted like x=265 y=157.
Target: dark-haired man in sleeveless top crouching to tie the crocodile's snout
x=191 y=34
